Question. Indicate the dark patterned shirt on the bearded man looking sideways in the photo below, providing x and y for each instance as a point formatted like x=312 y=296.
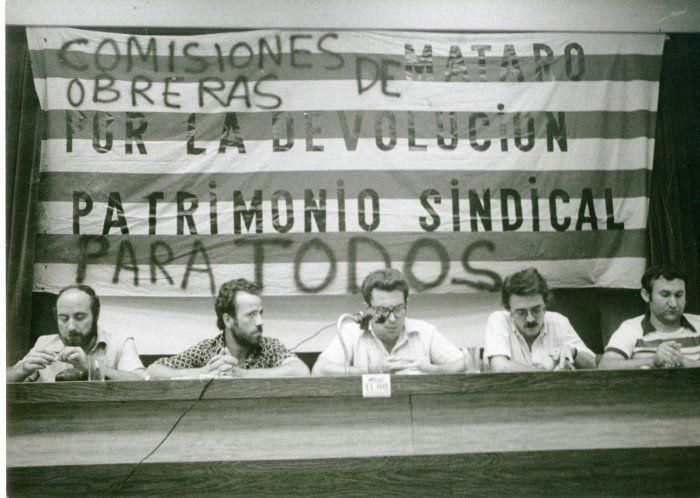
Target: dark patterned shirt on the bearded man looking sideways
x=269 y=353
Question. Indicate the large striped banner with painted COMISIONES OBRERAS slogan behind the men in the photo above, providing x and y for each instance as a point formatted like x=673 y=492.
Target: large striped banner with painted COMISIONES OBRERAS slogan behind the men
x=304 y=160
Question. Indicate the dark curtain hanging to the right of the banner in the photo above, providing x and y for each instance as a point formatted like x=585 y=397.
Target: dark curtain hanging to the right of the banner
x=674 y=207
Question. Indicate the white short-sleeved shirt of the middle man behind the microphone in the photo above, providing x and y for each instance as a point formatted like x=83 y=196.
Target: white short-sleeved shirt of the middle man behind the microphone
x=418 y=341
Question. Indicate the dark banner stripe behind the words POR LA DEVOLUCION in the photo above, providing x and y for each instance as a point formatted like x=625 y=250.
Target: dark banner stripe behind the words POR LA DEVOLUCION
x=425 y=126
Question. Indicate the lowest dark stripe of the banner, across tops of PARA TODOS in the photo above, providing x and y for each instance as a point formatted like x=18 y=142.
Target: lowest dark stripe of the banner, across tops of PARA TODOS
x=232 y=249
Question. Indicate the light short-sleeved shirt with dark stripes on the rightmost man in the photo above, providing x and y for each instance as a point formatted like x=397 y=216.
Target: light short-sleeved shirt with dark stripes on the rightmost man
x=637 y=337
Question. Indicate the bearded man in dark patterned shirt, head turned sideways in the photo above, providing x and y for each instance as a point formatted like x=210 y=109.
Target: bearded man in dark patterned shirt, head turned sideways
x=240 y=350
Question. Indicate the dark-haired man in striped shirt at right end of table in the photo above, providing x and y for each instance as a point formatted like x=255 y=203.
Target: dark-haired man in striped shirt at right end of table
x=664 y=337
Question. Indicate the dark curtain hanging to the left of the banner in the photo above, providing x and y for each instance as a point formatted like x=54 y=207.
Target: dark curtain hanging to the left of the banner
x=23 y=131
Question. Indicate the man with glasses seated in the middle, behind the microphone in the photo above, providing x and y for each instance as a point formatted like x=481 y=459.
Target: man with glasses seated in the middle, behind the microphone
x=385 y=340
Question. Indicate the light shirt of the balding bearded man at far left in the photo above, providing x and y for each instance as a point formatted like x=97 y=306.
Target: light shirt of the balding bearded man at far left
x=119 y=351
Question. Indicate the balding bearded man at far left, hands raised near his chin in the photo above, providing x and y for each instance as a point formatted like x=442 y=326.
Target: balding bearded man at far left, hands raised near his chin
x=80 y=345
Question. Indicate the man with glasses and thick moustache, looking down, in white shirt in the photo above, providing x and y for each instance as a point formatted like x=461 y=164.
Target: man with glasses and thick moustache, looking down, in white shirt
x=526 y=337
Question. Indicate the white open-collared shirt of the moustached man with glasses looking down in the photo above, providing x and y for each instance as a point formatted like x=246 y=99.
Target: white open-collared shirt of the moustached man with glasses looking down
x=503 y=339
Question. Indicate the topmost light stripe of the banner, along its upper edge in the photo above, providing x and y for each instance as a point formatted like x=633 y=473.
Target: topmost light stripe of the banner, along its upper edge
x=374 y=42
